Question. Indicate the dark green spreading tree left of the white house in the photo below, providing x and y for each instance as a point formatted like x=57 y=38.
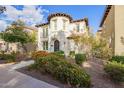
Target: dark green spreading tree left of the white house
x=16 y=33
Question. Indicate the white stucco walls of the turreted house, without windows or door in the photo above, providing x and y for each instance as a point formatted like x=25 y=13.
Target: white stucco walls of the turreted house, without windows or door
x=59 y=34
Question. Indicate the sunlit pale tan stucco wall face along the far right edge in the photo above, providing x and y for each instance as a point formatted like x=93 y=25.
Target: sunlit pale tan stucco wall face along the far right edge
x=119 y=29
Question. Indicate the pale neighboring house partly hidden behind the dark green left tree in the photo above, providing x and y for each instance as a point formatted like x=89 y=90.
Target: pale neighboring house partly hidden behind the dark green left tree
x=16 y=47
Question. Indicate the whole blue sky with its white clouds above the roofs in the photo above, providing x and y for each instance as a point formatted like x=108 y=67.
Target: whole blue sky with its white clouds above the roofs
x=38 y=14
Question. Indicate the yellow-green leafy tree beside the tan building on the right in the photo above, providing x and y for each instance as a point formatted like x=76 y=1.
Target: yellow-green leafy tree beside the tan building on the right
x=101 y=49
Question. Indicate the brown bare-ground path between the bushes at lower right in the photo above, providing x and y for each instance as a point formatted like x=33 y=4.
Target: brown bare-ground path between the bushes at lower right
x=98 y=77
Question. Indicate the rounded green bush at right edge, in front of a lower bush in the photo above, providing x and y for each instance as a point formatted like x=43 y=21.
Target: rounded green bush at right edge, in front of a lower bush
x=115 y=71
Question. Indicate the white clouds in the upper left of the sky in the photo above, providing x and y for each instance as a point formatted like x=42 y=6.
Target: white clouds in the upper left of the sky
x=31 y=15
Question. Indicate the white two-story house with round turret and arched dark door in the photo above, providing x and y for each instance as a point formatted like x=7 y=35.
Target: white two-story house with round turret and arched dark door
x=52 y=36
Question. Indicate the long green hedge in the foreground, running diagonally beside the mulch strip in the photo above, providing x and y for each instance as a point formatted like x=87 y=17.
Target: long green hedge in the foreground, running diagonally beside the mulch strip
x=63 y=71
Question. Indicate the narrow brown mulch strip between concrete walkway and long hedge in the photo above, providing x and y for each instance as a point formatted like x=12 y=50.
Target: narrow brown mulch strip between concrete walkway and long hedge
x=44 y=77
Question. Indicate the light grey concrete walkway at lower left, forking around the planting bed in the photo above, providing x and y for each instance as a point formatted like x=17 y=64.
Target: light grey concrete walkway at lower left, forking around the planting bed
x=10 y=78
